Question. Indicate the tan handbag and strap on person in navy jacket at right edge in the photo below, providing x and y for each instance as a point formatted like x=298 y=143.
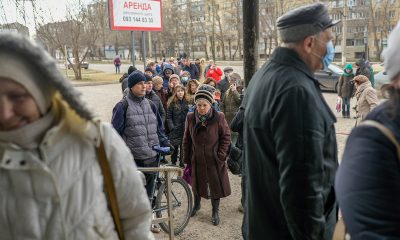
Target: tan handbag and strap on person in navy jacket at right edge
x=340 y=228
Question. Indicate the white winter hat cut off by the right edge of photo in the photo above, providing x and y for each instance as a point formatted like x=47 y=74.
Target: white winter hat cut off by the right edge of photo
x=391 y=54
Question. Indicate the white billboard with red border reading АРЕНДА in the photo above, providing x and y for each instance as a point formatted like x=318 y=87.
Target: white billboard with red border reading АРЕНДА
x=135 y=15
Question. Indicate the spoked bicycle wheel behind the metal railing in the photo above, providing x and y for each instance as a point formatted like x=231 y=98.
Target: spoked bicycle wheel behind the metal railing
x=182 y=202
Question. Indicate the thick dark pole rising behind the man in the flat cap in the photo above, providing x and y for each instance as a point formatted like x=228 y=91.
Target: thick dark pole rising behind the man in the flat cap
x=250 y=38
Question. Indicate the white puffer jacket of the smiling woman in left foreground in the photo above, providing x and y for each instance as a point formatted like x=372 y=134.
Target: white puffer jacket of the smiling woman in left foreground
x=57 y=191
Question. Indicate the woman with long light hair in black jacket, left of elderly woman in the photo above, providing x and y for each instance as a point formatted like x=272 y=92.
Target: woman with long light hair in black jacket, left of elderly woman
x=176 y=115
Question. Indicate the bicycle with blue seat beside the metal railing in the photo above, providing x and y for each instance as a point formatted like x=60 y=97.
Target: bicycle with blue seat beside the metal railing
x=182 y=199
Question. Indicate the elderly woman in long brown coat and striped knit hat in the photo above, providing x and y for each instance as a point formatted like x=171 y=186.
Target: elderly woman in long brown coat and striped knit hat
x=205 y=146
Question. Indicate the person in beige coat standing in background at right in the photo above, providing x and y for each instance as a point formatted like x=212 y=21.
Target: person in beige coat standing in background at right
x=366 y=97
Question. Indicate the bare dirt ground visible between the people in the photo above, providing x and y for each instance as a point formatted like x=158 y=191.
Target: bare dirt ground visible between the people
x=103 y=98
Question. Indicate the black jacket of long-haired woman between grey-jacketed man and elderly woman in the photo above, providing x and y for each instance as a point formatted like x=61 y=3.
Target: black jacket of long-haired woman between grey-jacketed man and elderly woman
x=176 y=116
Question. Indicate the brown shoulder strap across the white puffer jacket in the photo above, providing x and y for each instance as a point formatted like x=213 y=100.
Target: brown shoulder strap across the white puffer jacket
x=110 y=189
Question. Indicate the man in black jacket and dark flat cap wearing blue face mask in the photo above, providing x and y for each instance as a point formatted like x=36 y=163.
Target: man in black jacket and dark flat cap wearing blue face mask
x=289 y=134
